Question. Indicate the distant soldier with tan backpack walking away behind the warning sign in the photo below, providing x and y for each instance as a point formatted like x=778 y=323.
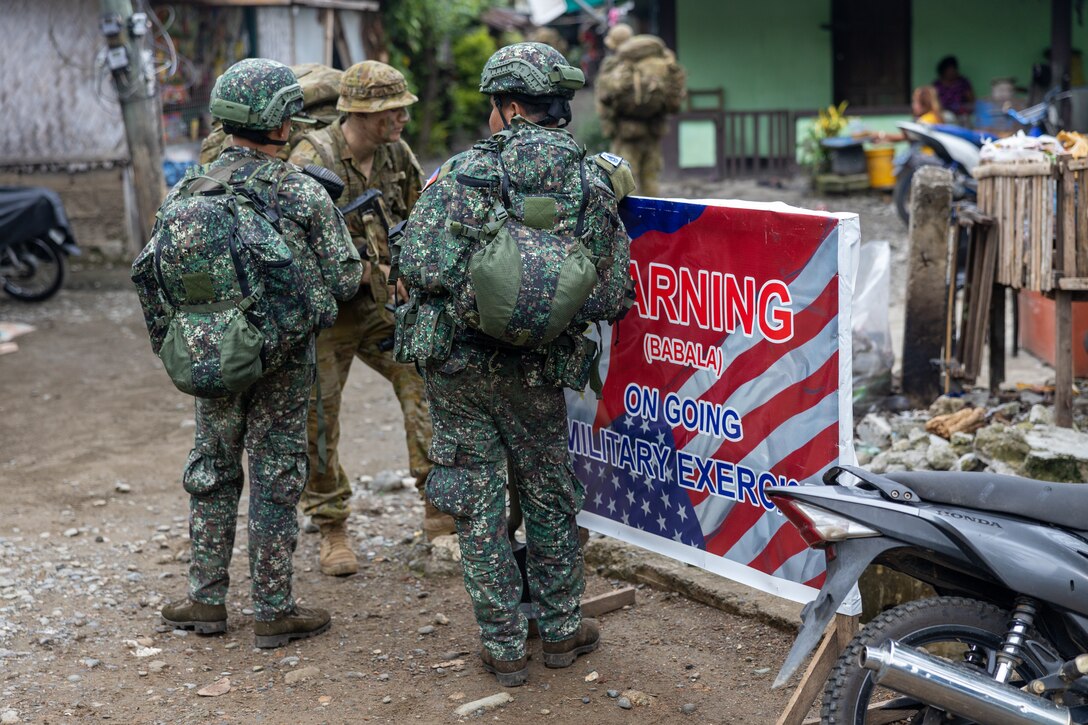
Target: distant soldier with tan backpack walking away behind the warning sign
x=640 y=84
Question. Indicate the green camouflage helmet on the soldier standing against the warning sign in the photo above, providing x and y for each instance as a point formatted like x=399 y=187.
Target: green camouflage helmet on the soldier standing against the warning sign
x=530 y=69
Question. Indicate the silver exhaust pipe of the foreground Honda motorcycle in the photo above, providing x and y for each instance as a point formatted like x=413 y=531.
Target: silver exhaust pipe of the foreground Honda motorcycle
x=960 y=692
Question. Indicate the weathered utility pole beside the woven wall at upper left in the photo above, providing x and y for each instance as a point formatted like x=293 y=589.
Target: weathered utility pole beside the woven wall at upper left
x=134 y=80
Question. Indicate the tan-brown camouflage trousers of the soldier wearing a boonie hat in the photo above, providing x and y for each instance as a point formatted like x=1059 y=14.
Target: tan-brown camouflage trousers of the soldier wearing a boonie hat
x=358 y=331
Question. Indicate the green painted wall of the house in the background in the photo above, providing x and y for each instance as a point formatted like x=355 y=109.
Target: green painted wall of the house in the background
x=776 y=54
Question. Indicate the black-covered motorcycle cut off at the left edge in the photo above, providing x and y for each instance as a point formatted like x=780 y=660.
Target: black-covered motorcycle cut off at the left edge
x=35 y=240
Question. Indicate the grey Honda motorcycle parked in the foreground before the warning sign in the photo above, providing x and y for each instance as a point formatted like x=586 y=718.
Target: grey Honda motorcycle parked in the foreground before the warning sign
x=1006 y=642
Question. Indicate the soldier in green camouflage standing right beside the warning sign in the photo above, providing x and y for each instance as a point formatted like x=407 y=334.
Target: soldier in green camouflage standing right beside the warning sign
x=498 y=351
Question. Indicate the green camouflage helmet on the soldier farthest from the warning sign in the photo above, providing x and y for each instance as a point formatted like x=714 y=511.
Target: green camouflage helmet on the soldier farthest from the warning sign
x=257 y=94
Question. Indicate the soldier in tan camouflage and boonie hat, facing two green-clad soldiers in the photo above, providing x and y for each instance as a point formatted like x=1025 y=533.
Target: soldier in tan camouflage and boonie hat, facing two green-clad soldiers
x=364 y=148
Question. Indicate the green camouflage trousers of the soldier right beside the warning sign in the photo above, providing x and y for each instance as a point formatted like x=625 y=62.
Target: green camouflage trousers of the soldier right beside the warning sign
x=484 y=414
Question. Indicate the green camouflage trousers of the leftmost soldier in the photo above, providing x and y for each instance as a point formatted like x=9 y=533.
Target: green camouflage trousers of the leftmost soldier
x=269 y=420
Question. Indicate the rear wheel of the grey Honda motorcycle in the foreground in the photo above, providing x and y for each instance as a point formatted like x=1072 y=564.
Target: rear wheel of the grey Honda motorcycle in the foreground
x=947 y=626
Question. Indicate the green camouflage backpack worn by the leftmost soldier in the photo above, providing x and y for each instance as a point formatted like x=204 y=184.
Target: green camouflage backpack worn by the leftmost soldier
x=233 y=291
